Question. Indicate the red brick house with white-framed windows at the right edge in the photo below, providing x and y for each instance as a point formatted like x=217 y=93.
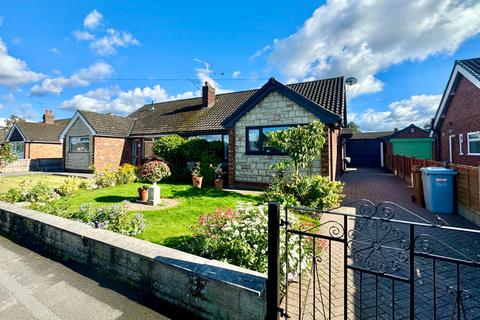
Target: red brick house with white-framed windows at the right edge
x=456 y=126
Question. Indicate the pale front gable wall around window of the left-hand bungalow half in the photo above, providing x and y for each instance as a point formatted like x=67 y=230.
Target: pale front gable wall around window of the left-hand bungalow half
x=78 y=160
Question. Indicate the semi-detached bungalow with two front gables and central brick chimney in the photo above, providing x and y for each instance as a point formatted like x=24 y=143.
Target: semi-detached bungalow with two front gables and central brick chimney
x=240 y=120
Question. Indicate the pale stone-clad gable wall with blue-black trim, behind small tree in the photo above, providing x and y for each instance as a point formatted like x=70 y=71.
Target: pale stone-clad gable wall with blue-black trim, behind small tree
x=274 y=109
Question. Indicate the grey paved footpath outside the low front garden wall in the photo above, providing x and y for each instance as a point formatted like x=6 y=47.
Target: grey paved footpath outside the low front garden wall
x=35 y=287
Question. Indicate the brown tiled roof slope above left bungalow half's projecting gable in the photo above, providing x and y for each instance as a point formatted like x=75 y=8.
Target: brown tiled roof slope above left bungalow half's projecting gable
x=108 y=124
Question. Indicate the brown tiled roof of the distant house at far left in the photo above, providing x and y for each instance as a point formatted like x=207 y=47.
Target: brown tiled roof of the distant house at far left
x=38 y=132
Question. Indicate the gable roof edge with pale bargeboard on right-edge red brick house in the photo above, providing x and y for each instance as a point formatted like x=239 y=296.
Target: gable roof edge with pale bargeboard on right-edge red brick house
x=469 y=69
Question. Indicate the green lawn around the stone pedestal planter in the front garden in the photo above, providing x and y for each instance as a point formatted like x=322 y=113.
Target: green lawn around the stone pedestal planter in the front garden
x=165 y=226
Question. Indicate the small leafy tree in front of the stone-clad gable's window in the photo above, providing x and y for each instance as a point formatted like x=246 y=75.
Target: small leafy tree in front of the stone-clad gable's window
x=303 y=144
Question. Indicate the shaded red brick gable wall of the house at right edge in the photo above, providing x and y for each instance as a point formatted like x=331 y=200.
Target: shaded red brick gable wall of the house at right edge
x=463 y=116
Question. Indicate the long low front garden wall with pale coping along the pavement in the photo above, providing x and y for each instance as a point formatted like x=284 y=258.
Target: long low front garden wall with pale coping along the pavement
x=208 y=289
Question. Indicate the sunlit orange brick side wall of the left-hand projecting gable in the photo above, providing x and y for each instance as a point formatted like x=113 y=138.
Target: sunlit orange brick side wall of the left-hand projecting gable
x=111 y=152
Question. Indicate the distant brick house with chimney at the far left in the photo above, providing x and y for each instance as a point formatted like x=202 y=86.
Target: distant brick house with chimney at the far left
x=32 y=140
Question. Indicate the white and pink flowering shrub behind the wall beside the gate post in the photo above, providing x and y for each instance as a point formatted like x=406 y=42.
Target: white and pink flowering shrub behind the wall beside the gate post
x=239 y=237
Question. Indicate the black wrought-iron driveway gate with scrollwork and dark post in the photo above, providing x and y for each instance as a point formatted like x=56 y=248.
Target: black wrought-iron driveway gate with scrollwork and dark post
x=370 y=261
